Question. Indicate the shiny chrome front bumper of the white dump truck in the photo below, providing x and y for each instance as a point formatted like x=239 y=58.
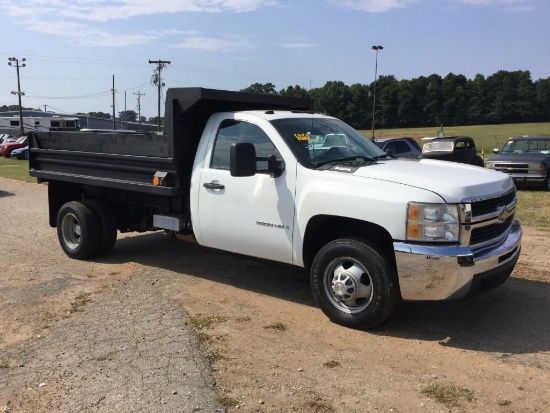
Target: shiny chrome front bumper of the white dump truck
x=429 y=273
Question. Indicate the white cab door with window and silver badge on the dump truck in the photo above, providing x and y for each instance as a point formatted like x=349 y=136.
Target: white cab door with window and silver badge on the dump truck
x=247 y=215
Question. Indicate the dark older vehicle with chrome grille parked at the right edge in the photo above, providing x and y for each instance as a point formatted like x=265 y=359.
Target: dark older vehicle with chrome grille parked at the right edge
x=526 y=159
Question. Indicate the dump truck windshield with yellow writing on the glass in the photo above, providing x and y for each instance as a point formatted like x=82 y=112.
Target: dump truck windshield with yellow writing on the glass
x=317 y=141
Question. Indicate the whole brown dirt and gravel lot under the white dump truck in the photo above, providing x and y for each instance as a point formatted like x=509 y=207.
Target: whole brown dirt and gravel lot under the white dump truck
x=112 y=334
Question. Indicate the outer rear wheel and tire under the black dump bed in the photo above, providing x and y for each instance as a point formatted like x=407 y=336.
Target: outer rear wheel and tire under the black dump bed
x=78 y=230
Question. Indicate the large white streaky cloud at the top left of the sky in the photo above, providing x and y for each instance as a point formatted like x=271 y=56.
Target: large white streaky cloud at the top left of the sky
x=74 y=19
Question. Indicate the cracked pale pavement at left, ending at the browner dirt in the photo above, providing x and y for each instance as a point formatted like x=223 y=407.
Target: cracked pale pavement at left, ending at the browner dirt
x=84 y=336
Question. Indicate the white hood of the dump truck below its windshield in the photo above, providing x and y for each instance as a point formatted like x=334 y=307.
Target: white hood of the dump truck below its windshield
x=452 y=181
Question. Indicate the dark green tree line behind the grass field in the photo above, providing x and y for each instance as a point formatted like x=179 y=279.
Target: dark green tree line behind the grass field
x=453 y=100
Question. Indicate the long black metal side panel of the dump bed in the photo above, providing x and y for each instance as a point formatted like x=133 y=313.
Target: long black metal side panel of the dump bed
x=113 y=160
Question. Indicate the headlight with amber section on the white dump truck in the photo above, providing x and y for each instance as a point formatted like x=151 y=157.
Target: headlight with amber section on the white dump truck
x=433 y=222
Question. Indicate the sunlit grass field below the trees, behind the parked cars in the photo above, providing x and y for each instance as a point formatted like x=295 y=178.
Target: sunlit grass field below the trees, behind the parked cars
x=486 y=136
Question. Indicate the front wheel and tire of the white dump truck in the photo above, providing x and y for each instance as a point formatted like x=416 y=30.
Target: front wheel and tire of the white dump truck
x=354 y=284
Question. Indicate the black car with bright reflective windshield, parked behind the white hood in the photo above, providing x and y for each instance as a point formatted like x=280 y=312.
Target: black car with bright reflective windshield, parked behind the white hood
x=461 y=149
